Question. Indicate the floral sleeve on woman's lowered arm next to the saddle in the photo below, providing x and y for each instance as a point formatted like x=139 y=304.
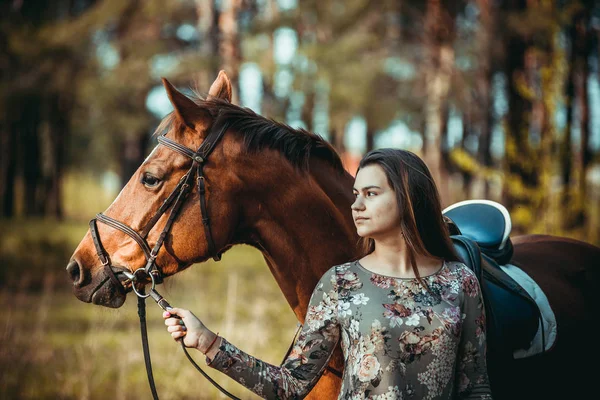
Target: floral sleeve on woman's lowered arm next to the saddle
x=472 y=378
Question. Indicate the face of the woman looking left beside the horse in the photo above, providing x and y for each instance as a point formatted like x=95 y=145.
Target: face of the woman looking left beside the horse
x=375 y=209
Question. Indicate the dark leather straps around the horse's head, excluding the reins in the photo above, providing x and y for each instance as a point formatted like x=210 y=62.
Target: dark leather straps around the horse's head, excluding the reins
x=174 y=201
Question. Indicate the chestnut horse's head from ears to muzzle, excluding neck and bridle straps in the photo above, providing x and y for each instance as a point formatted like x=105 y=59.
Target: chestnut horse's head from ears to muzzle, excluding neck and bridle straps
x=151 y=185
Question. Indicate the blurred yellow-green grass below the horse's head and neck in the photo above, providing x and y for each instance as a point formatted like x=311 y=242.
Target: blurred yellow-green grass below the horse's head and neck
x=56 y=347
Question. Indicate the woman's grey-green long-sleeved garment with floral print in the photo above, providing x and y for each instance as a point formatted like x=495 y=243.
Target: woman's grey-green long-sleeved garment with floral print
x=399 y=340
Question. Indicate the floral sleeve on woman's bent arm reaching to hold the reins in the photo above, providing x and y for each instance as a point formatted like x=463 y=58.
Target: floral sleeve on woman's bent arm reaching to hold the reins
x=309 y=356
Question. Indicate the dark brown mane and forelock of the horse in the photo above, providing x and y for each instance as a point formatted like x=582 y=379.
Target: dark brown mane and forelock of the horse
x=258 y=132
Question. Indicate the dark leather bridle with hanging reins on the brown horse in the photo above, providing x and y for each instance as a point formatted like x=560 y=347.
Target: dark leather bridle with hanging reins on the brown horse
x=151 y=273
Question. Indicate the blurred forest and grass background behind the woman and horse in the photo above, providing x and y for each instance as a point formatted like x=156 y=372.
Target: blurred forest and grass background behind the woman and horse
x=501 y=98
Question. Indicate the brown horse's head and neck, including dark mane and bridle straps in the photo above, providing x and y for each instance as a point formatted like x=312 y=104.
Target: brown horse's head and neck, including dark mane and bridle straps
x=221 y=175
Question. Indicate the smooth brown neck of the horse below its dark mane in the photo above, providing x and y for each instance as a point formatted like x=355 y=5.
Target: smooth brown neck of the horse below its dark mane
x=304 y=227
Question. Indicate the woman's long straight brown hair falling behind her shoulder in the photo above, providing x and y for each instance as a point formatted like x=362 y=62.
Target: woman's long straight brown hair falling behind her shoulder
x=422 y=223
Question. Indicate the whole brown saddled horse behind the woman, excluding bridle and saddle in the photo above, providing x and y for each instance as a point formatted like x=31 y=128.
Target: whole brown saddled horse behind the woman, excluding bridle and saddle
x=285 y=192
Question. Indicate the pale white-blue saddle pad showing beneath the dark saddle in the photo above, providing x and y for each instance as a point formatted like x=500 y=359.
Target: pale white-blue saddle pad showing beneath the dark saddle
x=547 y=327
